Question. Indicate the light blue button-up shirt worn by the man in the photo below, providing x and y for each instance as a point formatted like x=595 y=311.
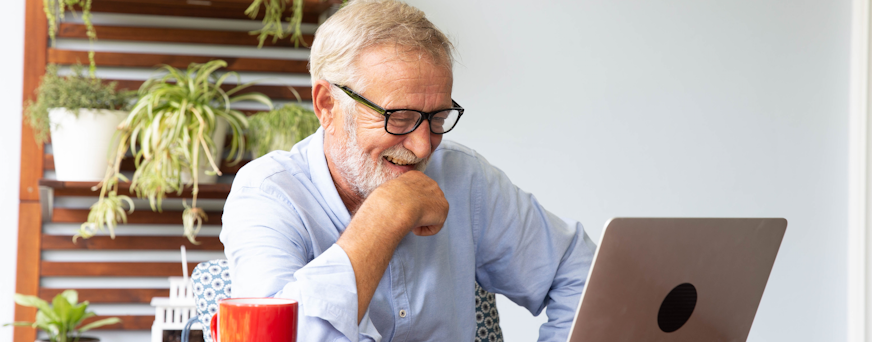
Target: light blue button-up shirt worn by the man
x=284 y=215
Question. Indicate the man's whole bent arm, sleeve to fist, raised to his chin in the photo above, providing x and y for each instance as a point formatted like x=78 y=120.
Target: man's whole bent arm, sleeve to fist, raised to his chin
x=269 y=246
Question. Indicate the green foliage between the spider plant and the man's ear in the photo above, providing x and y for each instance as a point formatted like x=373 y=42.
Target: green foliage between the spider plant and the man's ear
x=280 y=128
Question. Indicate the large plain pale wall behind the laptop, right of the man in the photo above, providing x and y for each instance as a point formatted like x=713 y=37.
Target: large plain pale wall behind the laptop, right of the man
x=671 y=108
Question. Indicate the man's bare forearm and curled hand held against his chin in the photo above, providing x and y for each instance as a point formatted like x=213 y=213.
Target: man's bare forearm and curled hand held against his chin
x=411 y=202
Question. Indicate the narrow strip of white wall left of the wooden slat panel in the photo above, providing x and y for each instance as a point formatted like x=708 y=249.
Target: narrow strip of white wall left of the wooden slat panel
x=12 y=59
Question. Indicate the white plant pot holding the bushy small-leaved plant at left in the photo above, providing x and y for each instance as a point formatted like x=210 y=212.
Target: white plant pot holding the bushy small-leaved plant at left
x=82 y=143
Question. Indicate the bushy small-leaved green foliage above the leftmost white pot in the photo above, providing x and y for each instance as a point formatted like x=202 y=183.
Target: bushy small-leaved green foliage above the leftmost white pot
x=74 y=92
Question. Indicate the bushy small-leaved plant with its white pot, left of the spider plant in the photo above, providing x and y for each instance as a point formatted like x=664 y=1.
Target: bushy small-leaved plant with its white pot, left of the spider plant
x=81 y=113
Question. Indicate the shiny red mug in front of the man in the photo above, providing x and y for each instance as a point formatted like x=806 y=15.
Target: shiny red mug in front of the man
x=255 y=319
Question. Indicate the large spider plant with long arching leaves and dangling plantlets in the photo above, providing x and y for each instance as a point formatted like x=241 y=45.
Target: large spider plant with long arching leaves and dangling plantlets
x=169 y=131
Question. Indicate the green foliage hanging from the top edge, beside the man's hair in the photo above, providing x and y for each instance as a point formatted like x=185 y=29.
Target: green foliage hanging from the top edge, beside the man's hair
x=272 y=20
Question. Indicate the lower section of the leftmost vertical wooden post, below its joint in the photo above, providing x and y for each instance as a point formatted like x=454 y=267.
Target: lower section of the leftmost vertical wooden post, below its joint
x=27 y=272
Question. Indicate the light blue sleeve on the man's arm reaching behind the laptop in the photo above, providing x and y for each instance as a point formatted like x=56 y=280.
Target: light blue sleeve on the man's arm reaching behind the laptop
x=528 y=254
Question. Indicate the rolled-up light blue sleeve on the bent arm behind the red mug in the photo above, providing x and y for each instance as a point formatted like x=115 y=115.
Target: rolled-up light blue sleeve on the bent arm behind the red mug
x=267 y=246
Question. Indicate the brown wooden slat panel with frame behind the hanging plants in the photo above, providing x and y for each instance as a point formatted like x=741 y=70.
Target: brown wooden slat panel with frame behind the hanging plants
x=34 y=243
